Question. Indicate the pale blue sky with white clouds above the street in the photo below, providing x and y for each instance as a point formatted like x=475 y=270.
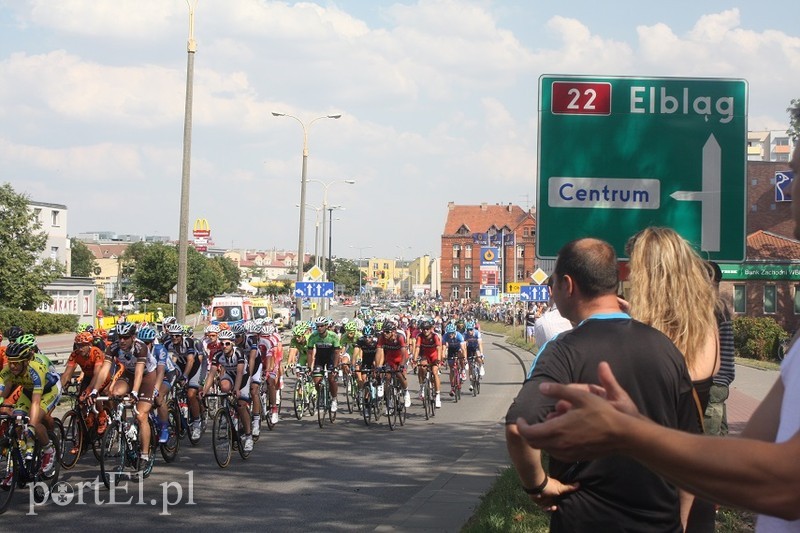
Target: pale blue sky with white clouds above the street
x=438 y=102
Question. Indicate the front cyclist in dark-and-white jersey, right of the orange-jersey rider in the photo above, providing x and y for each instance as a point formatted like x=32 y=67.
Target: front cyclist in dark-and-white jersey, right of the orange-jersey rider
x=138 y=377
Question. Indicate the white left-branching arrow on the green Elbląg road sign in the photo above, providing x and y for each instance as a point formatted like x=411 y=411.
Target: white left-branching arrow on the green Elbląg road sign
x=710 y=197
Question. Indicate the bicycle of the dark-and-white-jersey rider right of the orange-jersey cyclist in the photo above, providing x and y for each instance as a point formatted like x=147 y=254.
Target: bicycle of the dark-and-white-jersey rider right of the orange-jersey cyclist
x=120 y=447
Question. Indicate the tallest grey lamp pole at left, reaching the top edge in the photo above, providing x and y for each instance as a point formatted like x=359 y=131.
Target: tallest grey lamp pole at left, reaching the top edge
x=183 y=229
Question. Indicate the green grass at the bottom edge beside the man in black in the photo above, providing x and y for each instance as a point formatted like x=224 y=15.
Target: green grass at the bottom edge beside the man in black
x=506 y=508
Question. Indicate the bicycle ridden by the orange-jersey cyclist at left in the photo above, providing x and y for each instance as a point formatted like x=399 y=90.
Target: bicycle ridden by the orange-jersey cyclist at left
x=80 y=425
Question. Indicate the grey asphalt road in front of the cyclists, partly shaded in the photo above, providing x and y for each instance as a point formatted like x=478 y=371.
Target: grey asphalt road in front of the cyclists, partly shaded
x=343 y=477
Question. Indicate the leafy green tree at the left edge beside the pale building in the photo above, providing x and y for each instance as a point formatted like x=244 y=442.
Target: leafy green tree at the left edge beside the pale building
x=23 y=275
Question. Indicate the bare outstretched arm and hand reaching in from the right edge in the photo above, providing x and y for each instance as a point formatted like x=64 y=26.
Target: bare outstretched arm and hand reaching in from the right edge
x=757 y=475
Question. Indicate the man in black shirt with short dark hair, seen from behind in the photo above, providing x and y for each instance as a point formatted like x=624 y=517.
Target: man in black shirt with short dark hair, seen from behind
x=615 y=493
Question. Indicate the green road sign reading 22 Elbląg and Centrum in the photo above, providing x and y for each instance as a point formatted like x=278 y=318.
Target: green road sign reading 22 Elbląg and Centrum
x=619 y=154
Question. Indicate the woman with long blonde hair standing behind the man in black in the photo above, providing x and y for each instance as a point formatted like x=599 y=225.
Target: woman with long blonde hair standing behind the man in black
x=672 y=291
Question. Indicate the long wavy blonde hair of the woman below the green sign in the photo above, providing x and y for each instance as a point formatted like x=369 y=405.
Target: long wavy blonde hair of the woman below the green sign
x=671 y=289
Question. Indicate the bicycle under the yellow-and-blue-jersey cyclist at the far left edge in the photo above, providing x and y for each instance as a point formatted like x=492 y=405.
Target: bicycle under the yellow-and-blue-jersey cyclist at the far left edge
x=17 y=466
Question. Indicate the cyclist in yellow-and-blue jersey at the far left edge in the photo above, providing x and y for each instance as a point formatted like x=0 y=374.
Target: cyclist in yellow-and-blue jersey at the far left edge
x=40 y=392
